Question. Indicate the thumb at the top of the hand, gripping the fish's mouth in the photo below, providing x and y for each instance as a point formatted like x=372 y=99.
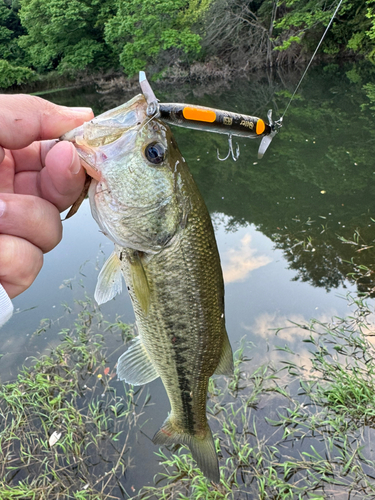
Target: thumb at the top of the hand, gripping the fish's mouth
x=25 y=119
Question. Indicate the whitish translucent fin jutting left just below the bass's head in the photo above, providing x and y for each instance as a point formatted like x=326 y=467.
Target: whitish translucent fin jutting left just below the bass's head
x=109 y=280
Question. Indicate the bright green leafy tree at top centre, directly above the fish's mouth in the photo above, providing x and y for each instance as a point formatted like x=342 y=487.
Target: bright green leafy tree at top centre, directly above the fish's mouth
x=141 y=31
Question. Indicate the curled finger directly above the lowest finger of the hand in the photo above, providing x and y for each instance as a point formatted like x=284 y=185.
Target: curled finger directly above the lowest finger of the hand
x=31 y=218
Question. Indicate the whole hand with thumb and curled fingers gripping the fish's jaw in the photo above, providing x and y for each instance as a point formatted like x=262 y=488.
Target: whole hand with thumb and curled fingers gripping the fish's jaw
x=38 y=179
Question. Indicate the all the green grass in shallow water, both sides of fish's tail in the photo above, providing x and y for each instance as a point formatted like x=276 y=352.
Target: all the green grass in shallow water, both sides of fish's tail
x=283 y=432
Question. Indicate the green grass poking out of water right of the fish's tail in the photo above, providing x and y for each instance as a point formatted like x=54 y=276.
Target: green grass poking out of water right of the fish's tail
x=289 y=432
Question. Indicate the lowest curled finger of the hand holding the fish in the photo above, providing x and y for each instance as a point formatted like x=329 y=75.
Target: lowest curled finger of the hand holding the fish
x=20 y=263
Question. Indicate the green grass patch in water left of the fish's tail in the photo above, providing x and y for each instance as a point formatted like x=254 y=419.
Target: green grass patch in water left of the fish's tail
x=67 y=392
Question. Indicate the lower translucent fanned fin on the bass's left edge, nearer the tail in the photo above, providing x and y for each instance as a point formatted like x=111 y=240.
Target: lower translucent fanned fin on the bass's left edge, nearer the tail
x=135 y=365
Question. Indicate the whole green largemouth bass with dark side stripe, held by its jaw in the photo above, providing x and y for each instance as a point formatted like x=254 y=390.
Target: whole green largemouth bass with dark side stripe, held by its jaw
x=145 y=200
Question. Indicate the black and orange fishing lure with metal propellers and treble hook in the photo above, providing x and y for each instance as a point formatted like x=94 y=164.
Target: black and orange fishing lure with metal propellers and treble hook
x=211 y=120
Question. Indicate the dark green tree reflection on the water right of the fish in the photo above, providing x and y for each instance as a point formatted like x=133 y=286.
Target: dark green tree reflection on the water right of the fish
x=314 y=185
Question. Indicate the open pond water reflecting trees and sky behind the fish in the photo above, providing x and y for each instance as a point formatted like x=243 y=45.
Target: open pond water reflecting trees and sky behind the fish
x=280 y=221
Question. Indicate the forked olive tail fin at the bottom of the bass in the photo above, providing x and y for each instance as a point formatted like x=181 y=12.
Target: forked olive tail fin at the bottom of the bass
x=202 y=449
